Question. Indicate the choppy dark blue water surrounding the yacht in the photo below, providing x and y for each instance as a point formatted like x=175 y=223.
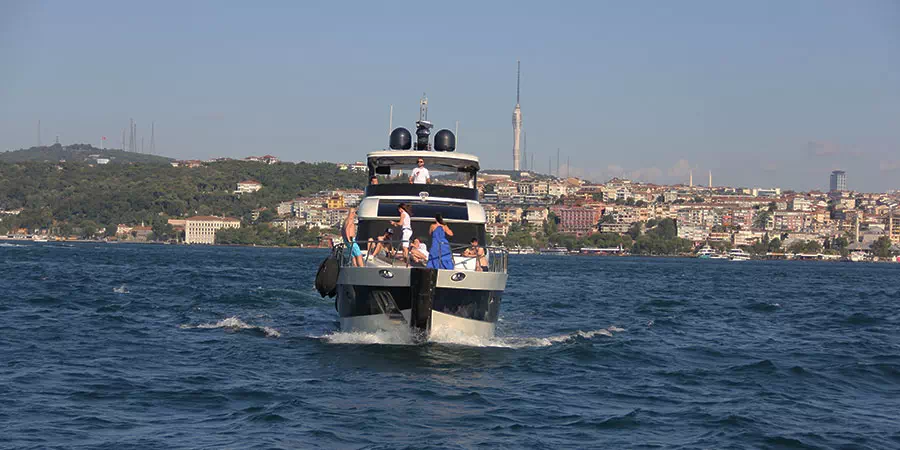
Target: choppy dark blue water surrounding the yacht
x=130 y=346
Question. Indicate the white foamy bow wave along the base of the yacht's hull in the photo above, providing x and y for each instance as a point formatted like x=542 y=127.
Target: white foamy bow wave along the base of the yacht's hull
x=454 y=337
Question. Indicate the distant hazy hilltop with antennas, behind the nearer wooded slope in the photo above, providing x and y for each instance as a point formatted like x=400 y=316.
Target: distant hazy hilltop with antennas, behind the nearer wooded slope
x=83 y=153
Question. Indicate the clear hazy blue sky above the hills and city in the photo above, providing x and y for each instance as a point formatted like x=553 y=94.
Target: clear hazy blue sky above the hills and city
x=761 y=93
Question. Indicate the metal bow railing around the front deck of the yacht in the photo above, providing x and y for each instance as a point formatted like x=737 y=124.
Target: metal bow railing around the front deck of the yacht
x=389 y=253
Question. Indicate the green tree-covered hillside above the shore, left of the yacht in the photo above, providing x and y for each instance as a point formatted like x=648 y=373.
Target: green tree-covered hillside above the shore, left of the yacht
x=105 y=195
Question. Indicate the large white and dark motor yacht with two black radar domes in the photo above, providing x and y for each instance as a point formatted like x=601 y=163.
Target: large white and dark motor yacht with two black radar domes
x=388 y=293
